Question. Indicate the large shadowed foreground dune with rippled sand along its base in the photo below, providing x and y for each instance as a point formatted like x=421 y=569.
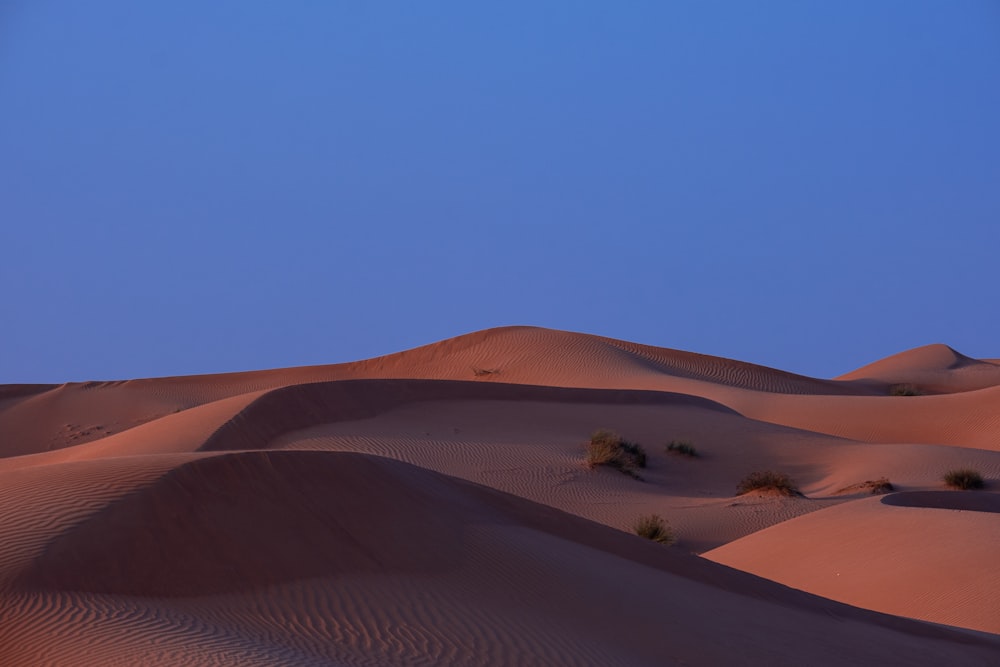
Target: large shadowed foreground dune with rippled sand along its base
x=319 y=558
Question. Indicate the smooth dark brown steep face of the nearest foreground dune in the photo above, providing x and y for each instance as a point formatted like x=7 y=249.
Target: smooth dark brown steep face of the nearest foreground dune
x=227 y=523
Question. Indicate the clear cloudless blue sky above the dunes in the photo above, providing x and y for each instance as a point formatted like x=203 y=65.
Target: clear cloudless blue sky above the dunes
x=191 y=187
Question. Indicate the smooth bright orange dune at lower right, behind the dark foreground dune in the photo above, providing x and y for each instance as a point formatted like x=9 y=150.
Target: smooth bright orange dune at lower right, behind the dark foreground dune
x=895 y=555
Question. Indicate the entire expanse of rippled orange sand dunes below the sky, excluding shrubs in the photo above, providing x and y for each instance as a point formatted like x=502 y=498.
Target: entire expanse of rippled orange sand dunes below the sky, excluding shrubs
x=432 y=507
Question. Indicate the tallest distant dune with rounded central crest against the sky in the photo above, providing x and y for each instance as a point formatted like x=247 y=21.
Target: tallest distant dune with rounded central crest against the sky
x=55 y=417
